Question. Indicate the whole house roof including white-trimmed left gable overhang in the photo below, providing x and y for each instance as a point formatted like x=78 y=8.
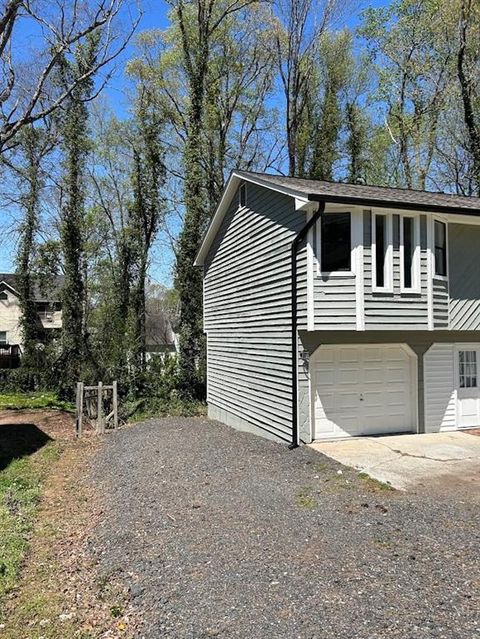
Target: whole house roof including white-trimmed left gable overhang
x=338 y=192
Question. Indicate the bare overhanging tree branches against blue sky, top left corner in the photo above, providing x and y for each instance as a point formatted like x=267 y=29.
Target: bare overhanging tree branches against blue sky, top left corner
x=27 y=92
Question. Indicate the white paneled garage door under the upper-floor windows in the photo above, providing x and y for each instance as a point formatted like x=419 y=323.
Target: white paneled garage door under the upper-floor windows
x=363 y=390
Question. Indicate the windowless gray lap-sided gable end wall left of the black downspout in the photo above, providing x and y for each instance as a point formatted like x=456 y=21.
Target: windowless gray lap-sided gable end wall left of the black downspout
x=247 y=310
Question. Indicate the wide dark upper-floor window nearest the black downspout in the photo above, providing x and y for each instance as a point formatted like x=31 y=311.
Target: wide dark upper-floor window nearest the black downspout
x=335 y=244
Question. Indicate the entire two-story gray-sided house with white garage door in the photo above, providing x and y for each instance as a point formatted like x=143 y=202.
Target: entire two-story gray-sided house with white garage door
x=385 y=321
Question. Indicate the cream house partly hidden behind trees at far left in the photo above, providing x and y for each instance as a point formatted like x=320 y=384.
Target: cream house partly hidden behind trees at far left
x=49 y=317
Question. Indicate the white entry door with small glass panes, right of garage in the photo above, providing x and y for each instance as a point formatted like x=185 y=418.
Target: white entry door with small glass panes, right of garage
x=468 y=392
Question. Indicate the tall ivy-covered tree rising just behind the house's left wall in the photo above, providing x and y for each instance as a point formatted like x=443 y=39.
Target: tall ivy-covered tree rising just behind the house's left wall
x=198 y=23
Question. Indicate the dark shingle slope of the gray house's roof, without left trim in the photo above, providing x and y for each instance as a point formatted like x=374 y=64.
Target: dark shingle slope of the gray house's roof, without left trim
x=380 y=195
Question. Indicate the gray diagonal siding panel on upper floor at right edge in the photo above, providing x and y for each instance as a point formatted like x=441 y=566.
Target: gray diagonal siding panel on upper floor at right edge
x=464 y=276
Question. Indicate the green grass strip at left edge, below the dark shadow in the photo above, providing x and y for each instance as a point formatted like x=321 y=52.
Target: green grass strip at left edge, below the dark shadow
x=20 y=489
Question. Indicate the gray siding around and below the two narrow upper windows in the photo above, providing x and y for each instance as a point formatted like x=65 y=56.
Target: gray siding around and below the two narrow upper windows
x=389 y=311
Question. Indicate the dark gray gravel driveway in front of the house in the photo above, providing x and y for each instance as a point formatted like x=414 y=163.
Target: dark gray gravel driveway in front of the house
x=223 y=534
